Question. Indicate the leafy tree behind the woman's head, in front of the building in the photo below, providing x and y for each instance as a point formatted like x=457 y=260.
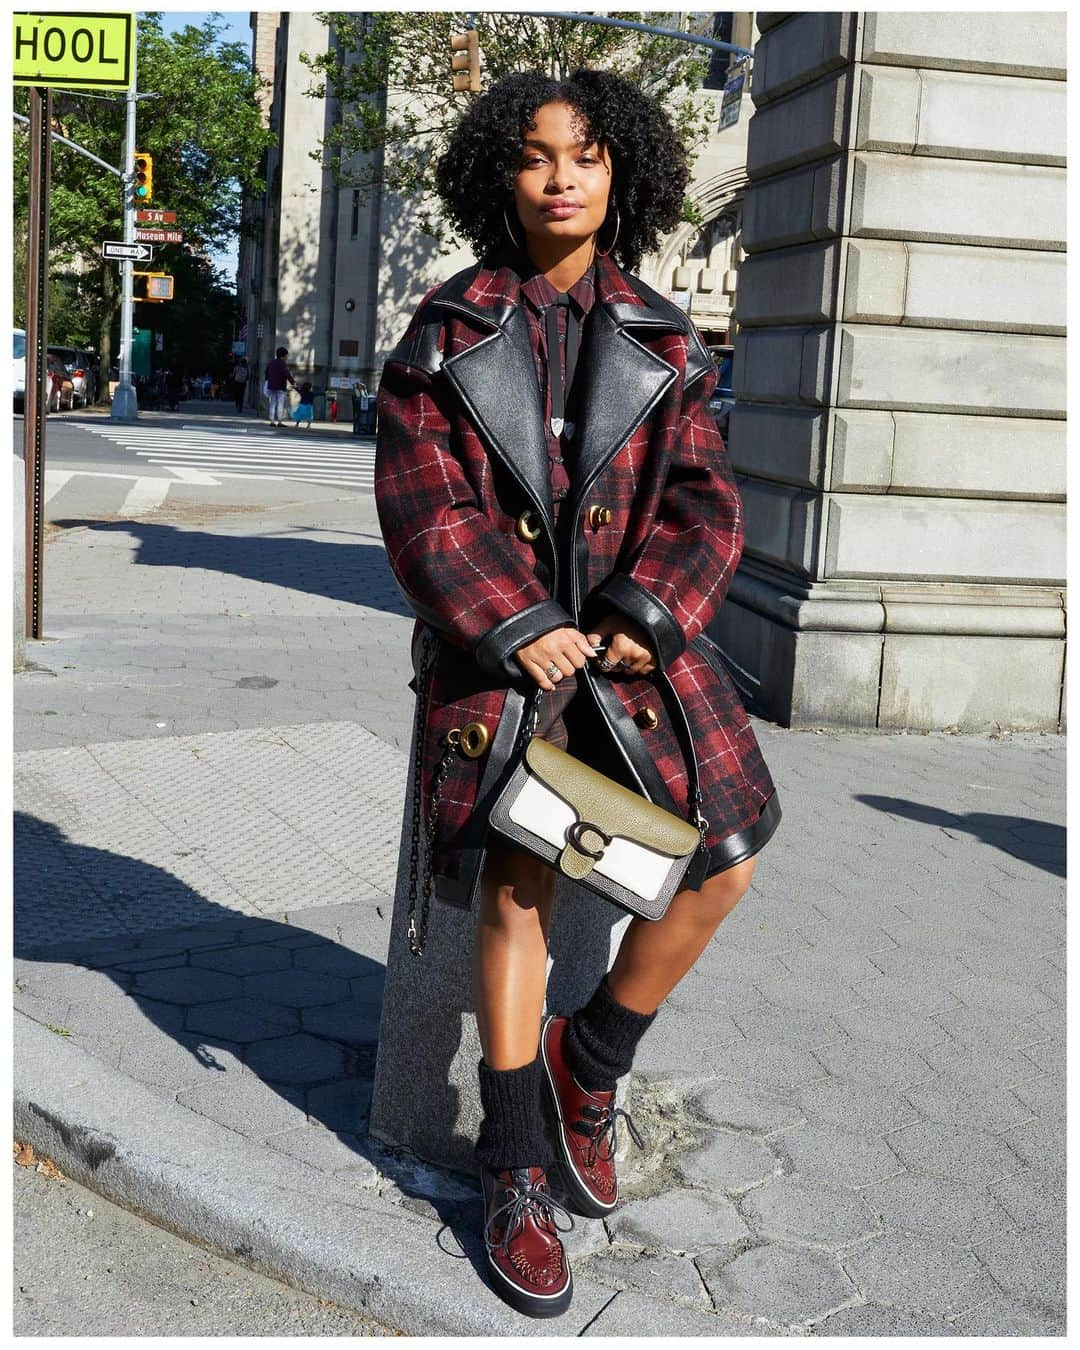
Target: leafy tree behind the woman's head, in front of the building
x=391 y=75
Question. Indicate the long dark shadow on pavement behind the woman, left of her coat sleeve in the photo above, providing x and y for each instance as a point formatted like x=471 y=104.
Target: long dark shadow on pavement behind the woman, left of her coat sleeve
x=353 y=573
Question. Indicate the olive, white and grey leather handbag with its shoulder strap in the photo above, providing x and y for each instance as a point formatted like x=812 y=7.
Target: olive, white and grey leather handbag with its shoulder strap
x=595 y=831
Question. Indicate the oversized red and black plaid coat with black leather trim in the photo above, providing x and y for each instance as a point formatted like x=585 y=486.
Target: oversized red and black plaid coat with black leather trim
x=462 y=481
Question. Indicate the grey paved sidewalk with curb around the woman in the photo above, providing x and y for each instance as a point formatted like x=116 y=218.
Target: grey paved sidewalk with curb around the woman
x=854 y=1105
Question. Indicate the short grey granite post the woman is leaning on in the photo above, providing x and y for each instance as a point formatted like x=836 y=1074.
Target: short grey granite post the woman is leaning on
x=426 y=1096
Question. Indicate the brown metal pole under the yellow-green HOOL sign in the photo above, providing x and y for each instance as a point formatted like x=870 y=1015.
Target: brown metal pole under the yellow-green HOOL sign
x=37 y=341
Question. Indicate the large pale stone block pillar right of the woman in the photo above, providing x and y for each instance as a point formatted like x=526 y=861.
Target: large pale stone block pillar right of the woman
x=901 y=373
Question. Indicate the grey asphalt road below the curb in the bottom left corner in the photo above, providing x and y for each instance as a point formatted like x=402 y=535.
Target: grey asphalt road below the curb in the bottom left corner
x=88 y=1268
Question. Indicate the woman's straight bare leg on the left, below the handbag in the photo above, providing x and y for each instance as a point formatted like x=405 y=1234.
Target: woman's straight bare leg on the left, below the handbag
x=511 y=955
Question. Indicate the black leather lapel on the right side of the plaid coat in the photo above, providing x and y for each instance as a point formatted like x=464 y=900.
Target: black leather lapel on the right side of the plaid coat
x=619 y=381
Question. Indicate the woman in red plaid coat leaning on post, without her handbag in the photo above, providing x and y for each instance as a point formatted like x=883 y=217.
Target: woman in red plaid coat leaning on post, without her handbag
x=550 y=481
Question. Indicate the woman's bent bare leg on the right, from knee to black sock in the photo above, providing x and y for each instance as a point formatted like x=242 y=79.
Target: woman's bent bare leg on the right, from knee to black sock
x=657 y=954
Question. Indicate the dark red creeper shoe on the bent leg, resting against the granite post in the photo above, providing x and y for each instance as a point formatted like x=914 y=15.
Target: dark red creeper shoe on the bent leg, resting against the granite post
x=585 y=1128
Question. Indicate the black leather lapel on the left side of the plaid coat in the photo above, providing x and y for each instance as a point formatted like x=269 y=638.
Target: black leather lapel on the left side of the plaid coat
x=496 y=380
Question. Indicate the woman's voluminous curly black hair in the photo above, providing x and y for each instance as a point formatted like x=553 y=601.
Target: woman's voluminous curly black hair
x=475 y=176
